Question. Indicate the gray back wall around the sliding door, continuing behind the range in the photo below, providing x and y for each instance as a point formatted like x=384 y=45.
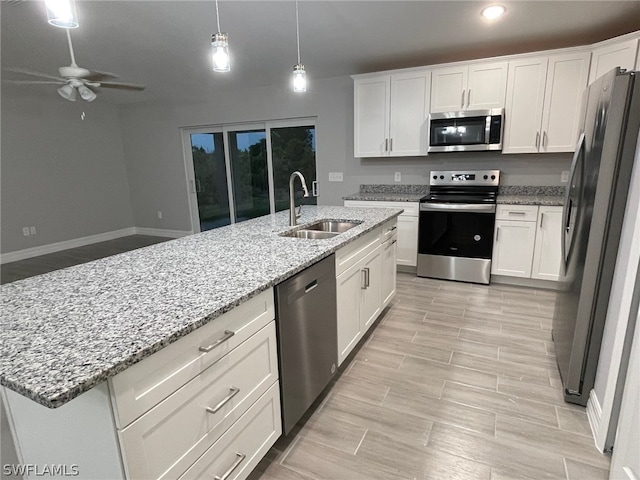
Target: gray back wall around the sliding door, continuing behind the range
x=155 y=163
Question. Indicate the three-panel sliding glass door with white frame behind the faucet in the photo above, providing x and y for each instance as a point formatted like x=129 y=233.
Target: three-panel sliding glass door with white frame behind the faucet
x=238 y=172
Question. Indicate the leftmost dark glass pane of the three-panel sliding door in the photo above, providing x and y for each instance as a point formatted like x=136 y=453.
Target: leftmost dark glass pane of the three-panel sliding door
x=207 y=150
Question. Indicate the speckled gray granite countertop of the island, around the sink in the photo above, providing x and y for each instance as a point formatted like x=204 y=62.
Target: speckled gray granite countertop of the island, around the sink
x=66 y=331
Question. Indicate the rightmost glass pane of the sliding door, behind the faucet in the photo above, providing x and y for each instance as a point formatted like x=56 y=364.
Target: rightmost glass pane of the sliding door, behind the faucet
x=293 y=148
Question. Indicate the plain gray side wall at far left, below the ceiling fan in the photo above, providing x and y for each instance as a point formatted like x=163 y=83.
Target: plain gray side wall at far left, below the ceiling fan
x=64 y=175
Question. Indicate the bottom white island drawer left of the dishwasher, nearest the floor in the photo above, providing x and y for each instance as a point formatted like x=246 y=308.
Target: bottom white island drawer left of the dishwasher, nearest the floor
x=241 y=448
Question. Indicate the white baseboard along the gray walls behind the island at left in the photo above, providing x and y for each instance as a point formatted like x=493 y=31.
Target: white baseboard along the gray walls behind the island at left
x=82 y=241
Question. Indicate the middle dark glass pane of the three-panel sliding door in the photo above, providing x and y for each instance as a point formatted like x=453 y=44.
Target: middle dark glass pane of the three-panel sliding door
x=249 y=173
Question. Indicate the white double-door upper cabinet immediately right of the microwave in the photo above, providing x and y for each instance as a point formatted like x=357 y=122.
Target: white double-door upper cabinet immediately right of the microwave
x=543 y=102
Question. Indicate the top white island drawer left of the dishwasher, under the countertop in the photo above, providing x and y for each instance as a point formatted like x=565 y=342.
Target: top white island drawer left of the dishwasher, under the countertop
x=148 y=382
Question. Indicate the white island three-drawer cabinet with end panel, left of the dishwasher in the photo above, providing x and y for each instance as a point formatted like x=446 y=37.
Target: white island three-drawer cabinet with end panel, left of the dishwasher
x=206 y=402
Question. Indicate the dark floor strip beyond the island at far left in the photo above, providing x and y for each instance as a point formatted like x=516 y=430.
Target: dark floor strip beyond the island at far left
x=30 y=267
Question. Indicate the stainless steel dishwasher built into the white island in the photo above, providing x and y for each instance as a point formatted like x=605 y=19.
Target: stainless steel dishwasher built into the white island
x=307 y=337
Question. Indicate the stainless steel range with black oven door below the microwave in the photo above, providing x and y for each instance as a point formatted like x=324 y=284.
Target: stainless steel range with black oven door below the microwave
x=455 y=239
